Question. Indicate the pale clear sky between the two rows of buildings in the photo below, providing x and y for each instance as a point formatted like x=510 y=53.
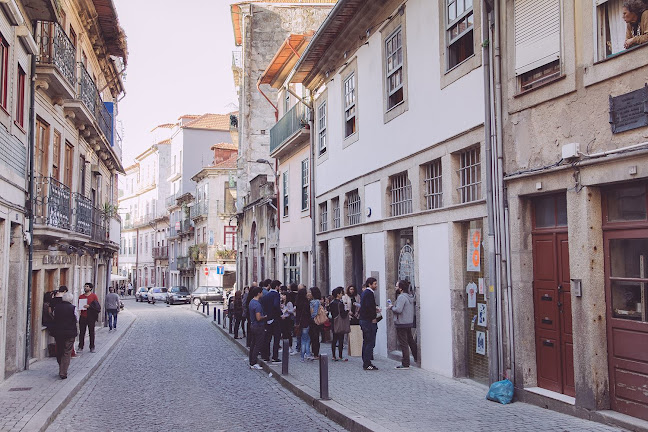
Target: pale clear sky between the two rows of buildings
x=179 y=62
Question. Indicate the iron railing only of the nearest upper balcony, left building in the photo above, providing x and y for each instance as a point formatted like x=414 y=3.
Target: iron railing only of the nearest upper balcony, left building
x=56 y=49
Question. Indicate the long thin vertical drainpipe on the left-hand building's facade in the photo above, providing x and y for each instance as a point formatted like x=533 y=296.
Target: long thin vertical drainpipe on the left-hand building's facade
x=30 y=205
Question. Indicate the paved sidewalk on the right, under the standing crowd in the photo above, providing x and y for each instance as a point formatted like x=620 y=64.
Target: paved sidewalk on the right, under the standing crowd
x=415 y=399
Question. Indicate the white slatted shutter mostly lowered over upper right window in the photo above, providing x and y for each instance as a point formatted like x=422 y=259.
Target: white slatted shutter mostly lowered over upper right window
x=537 y=34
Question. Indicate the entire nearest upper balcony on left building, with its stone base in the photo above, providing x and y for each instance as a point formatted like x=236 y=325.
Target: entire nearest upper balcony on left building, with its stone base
x=55 y=64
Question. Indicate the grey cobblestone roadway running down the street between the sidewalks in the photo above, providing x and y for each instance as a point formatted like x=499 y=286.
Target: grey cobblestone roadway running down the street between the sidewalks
x=174 y=371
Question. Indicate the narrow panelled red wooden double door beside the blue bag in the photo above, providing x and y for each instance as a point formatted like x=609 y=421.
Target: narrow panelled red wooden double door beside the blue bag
x=552 y=308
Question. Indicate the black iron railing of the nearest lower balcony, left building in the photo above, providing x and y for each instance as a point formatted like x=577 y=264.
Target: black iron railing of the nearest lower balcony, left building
x=51 y=204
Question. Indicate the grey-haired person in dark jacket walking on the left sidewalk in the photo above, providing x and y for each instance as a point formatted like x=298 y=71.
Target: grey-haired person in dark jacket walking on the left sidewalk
x=65 y=332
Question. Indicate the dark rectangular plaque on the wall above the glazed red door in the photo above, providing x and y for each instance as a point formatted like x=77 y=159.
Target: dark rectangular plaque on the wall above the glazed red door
x=629 y=111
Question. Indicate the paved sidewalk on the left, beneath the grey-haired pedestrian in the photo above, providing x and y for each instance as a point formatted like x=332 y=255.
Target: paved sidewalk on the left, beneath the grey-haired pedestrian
x=30 y=400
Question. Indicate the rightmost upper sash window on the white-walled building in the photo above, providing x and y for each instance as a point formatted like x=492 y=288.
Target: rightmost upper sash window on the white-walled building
x=459 y=31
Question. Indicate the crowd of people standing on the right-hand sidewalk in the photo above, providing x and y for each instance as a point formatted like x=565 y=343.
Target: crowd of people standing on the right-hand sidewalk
x=269 y=312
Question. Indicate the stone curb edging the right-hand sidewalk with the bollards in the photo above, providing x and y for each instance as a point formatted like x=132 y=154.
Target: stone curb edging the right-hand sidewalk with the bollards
x=331 y=409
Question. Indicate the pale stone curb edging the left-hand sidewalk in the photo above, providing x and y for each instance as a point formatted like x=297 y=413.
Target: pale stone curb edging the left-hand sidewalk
x=46 y=415
